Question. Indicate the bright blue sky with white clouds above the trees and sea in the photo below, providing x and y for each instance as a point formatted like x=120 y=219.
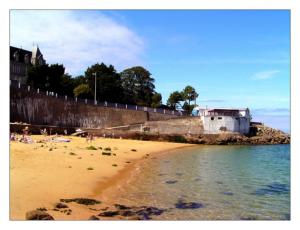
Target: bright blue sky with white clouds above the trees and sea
x=233 y=58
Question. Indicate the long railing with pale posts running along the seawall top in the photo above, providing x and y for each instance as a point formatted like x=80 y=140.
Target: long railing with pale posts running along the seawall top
x=16 y=84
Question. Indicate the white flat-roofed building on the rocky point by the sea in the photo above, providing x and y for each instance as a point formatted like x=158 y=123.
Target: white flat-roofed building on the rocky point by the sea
x=220 y=120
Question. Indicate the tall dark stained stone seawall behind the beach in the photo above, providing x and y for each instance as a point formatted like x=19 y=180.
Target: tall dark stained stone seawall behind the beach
x=40 y=109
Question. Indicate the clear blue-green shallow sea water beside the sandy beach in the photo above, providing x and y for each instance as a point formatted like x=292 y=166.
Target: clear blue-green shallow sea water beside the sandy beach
x=217 y=182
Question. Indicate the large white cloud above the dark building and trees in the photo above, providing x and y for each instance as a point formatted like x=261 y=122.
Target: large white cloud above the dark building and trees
x=76 y=39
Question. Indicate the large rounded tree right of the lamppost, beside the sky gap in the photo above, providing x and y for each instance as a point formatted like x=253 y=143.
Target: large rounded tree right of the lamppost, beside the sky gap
x=138 y=85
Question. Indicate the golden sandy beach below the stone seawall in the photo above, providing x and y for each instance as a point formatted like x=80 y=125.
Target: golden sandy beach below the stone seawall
x=43 y=173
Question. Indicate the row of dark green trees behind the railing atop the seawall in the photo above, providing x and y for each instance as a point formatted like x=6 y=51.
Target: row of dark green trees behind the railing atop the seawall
x=131 y=86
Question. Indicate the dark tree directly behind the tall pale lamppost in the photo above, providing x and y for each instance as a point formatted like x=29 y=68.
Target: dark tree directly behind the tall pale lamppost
x=108 y=82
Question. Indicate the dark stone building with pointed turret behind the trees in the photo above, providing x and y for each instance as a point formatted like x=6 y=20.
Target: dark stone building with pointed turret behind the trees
x=21 y=60
